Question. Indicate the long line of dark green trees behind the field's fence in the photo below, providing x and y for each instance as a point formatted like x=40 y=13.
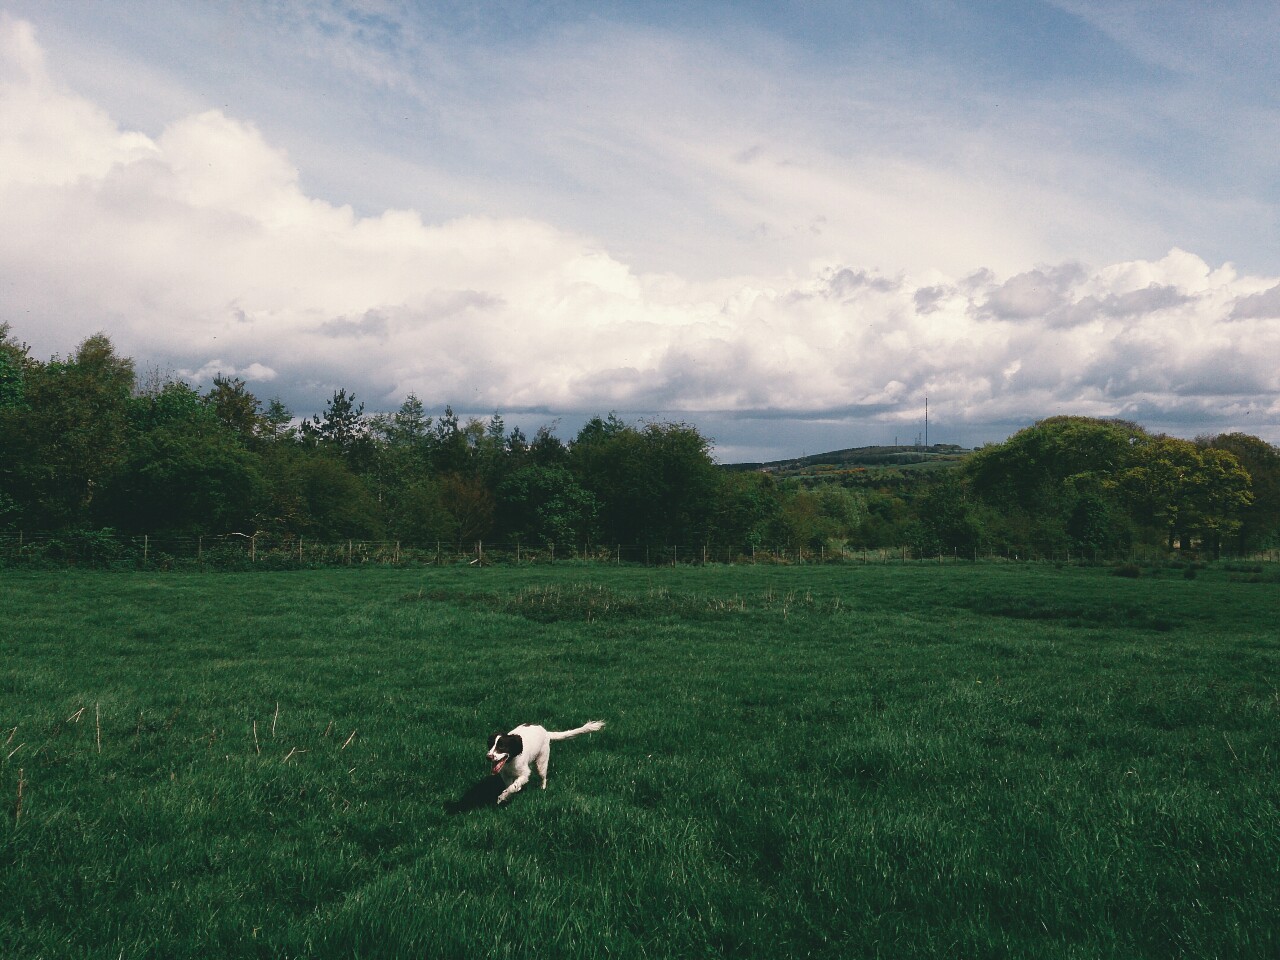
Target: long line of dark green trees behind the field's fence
x=86 y=444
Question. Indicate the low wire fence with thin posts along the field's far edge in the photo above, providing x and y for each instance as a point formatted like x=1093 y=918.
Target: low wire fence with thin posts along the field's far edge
x=263 y=551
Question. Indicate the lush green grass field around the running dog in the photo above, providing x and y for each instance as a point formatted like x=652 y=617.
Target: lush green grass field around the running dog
x=838 y=762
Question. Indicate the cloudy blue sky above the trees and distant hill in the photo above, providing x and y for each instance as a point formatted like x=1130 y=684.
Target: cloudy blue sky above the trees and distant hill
x=787 y=223
